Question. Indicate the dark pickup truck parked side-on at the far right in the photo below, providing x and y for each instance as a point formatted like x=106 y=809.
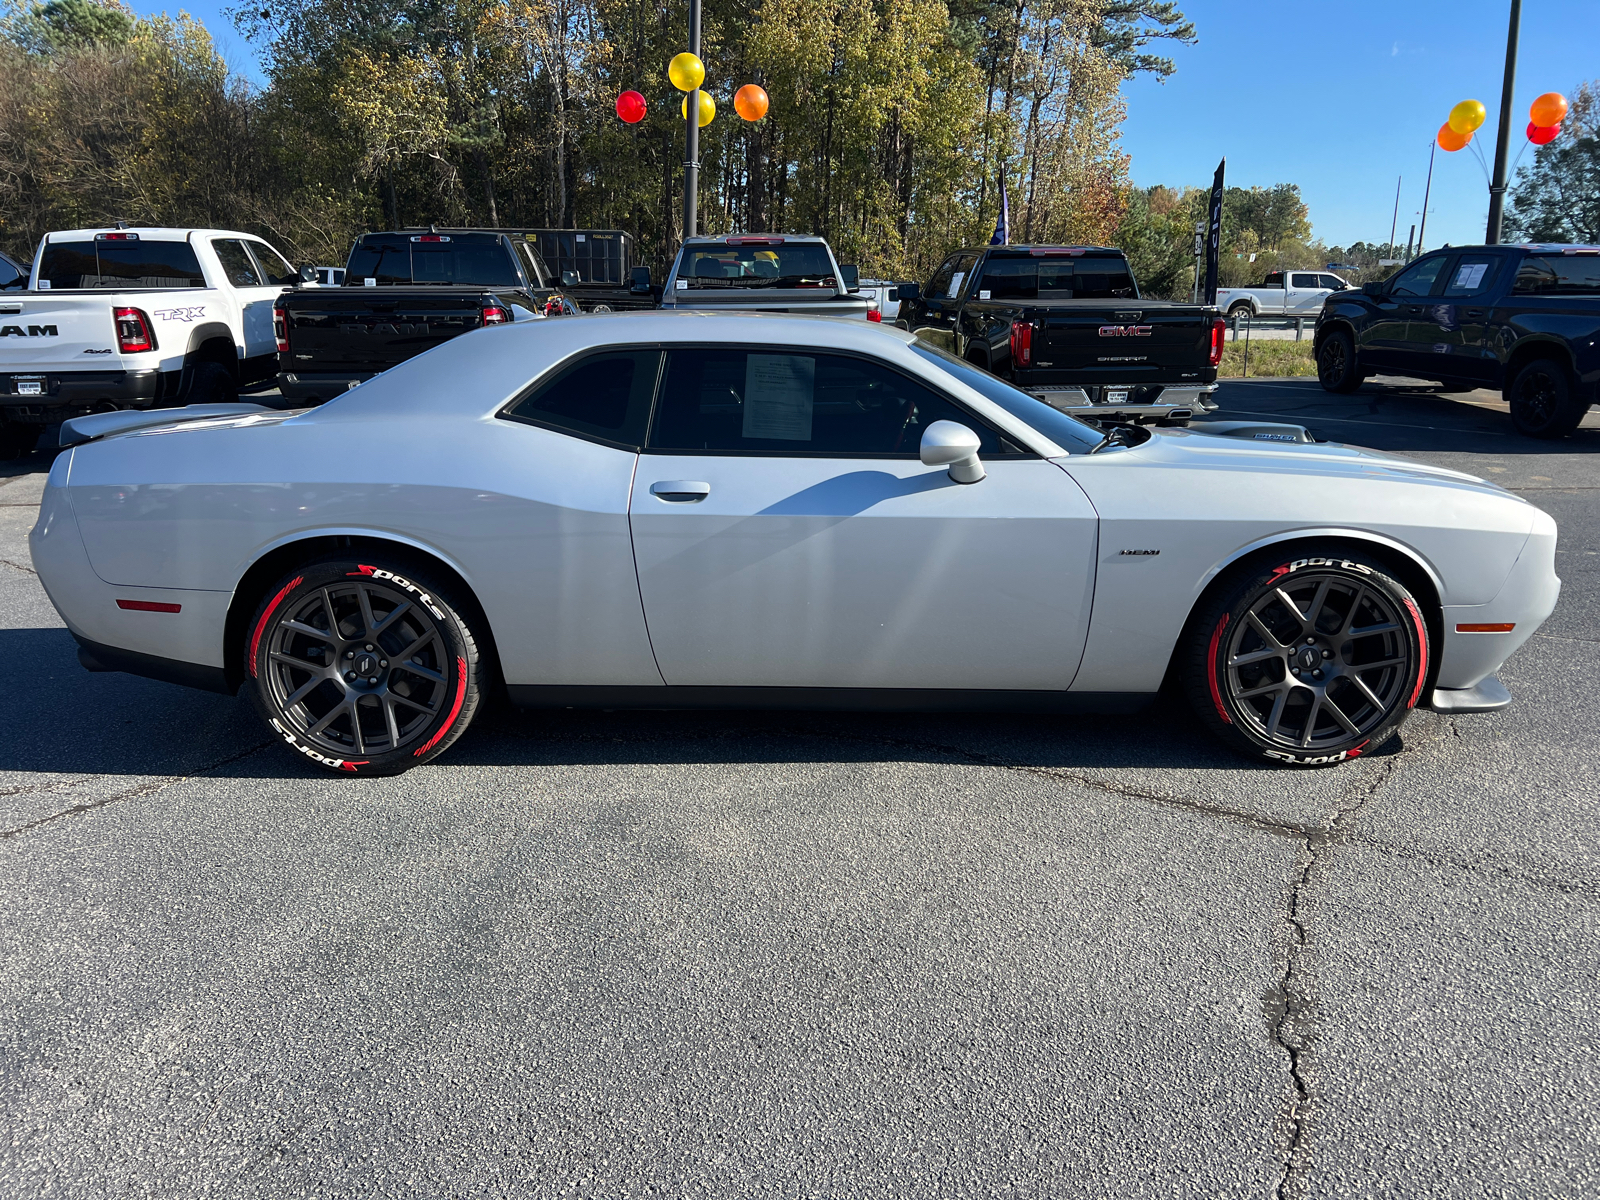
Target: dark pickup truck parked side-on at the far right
x=1522 y=319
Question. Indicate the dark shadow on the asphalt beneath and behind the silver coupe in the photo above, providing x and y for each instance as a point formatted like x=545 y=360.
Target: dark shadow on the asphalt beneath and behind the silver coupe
x=62 y=719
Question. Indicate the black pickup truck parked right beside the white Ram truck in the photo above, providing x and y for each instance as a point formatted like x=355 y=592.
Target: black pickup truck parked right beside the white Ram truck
x=404 y=294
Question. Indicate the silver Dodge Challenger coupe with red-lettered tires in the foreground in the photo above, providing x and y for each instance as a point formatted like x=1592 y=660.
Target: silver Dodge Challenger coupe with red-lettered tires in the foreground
x=686 y=510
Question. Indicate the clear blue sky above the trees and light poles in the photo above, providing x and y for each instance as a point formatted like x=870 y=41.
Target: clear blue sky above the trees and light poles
x=1338 y=98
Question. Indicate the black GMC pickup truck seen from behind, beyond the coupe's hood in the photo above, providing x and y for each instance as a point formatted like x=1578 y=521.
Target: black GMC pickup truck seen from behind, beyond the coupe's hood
x=1068 y=324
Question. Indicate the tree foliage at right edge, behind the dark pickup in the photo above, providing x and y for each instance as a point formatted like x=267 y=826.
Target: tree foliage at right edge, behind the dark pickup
x=1558 y=198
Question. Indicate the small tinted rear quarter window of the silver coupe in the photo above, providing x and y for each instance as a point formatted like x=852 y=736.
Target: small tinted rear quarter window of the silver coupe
x=604 y=398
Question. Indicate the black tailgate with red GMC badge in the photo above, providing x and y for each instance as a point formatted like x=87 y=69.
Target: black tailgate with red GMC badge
x=1121 y=345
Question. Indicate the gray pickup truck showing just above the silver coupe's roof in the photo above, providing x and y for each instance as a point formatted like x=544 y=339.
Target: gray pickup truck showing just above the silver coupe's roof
x=762 y=273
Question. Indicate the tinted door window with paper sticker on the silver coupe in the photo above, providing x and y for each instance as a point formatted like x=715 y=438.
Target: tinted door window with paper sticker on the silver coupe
x=798 y=402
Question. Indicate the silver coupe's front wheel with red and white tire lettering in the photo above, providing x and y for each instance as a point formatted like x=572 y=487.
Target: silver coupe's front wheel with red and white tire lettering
x=1308 y=662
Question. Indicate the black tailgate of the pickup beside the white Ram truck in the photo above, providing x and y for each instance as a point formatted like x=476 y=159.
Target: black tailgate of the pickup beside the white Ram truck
x=374 y=329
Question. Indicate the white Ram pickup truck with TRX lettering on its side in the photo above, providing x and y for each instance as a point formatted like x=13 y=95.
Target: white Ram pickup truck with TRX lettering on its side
x=135 y=319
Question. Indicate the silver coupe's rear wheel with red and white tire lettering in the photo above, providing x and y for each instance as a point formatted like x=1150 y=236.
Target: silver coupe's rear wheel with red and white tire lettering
x=366 y=666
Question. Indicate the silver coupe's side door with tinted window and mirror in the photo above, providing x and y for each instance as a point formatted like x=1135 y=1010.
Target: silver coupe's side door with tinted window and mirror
x=788 y=535
